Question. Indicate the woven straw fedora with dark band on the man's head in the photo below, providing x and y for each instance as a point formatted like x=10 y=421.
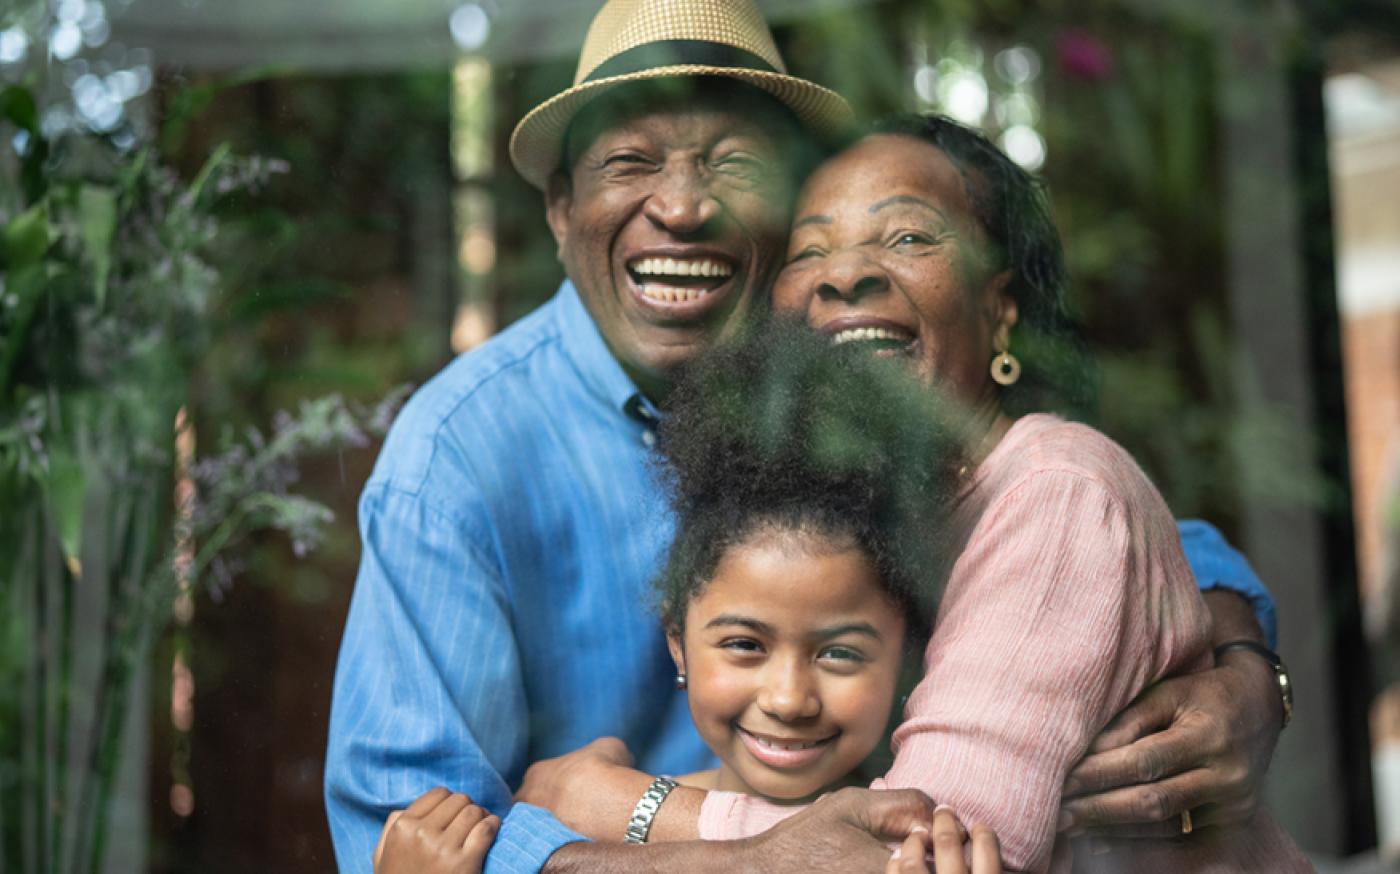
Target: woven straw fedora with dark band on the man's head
x=639 y=40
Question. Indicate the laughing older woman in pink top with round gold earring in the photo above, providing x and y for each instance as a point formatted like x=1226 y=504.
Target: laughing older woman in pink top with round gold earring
x=1070 y=595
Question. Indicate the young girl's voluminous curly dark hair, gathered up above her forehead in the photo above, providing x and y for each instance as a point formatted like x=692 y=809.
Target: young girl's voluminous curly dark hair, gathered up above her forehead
x=780 y=432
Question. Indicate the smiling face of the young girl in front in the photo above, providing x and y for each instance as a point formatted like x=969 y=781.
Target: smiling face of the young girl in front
x=793 y=653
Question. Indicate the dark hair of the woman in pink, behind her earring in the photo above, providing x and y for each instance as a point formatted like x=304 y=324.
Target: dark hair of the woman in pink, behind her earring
x=1014 y=211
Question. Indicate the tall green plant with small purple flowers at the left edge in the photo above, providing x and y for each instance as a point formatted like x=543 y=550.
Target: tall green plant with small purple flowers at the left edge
x=106 y=295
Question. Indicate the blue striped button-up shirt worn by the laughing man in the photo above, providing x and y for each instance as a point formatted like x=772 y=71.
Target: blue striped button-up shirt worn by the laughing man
x=502 y=614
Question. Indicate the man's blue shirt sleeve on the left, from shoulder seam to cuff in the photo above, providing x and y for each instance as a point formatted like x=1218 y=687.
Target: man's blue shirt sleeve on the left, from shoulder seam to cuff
x=429 y=688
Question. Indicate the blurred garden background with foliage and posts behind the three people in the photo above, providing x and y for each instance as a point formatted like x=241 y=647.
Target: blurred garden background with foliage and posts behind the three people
x=230 y=233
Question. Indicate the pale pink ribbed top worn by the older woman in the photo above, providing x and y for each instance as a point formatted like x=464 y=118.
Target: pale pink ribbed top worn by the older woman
x=1069 y=599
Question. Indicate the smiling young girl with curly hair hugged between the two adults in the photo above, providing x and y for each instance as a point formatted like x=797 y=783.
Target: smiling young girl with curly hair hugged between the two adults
x=799 y=588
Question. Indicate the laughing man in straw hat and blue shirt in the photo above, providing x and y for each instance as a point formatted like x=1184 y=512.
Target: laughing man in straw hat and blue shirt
x=512 y=523
